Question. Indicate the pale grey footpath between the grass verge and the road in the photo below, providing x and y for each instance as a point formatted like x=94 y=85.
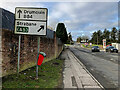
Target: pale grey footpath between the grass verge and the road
x=76 y=76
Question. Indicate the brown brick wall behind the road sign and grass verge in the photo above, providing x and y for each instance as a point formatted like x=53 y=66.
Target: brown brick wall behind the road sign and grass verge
x=28 y=50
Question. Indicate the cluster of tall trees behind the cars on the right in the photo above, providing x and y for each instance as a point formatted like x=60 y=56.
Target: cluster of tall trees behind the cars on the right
x=111 y=37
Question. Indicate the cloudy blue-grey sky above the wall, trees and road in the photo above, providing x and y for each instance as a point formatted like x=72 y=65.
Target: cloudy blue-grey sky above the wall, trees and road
x=80 y=18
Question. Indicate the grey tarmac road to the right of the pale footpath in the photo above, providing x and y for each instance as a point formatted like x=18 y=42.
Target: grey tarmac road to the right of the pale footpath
x=102 y=65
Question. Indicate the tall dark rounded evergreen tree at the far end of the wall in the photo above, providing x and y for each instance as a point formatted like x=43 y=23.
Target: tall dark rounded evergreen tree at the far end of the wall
x=61 y=32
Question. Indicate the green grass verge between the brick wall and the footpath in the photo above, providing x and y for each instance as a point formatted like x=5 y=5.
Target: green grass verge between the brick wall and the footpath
x=49 y=76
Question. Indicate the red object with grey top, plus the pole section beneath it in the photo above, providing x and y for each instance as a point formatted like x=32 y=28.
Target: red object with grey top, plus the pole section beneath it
x=40 y=59
